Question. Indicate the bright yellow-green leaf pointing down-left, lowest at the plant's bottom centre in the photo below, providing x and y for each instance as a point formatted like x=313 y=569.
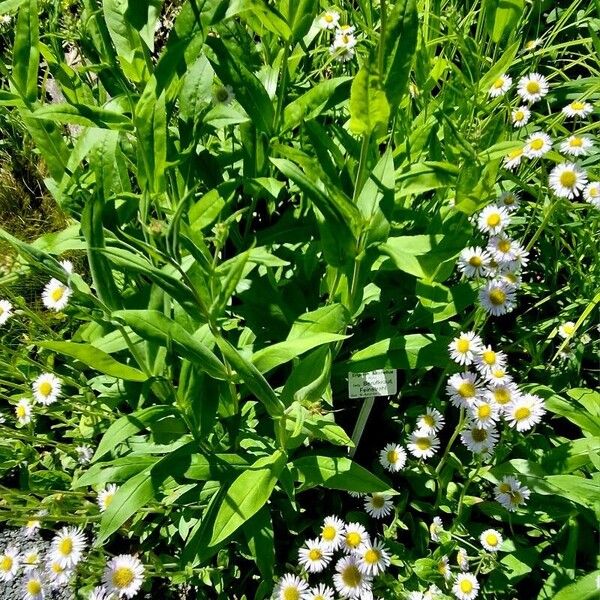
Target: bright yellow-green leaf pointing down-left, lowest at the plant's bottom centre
x=247 y=495
